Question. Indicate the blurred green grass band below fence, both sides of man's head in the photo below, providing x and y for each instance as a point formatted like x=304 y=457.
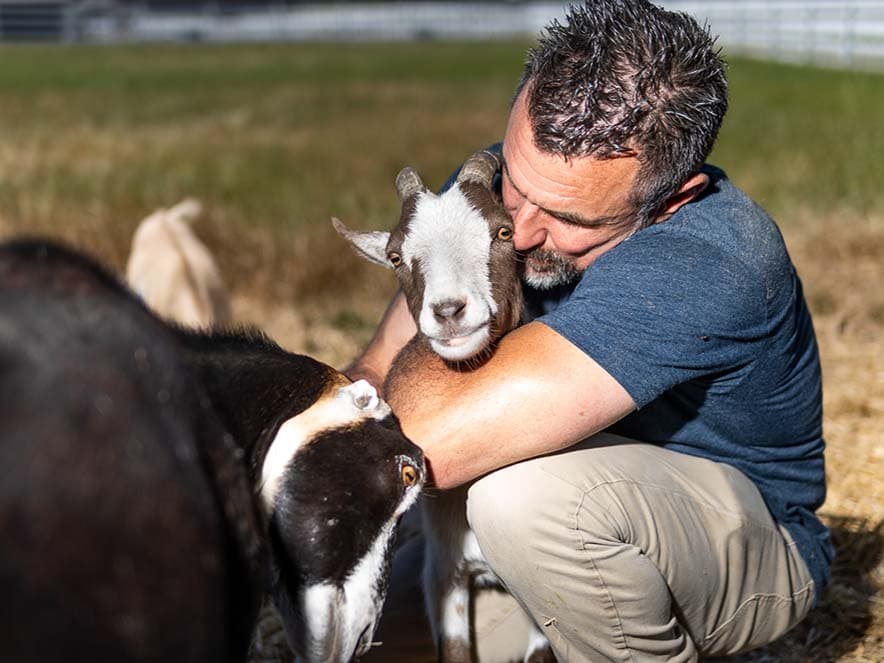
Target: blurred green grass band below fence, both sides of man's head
x=285 y=135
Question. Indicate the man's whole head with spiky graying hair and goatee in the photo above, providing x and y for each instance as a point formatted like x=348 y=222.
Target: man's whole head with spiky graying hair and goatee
x=617 y=109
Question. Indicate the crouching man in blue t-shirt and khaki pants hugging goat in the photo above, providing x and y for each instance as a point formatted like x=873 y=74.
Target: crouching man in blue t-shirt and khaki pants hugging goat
x=647 y=451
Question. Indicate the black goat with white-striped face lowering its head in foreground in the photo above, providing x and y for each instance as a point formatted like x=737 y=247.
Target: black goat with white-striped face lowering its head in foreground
x=156 y=480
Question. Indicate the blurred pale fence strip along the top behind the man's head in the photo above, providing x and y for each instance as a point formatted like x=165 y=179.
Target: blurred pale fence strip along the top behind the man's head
x=846 y=32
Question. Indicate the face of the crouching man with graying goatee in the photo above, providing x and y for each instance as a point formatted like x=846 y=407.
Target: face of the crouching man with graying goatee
x=562 y=210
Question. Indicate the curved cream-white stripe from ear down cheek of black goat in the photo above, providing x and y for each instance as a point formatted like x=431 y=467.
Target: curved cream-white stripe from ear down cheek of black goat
x=342 y=406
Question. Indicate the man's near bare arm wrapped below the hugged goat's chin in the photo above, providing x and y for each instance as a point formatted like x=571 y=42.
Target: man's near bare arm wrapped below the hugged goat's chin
x=537 y=394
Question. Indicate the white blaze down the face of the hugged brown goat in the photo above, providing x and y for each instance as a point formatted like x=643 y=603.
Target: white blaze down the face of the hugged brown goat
x=449 y=241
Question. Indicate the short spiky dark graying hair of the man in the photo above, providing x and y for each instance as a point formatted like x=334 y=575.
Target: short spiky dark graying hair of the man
x=625 y=77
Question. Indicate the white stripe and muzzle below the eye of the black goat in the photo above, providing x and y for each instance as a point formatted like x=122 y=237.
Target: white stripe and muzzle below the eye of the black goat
x=338 y=617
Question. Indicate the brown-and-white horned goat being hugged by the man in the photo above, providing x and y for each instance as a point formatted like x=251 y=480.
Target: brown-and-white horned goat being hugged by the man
x=456 y=264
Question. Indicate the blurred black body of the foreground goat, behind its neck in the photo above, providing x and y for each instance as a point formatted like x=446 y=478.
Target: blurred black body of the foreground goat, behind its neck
x=116 y=543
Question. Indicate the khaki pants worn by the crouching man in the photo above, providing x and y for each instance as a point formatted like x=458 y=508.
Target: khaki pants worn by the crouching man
x=620 y=551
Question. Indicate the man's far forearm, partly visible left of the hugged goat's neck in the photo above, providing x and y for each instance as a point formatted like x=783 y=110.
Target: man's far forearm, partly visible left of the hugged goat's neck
x=394 y=331
